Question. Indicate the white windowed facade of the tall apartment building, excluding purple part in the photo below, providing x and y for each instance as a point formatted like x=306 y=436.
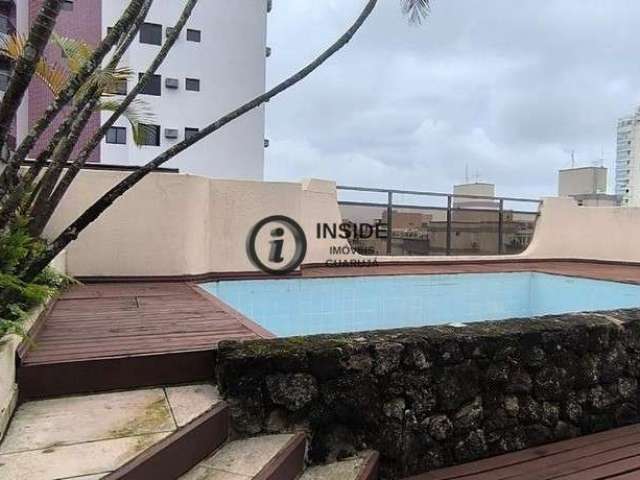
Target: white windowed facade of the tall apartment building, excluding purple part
x=230 y=63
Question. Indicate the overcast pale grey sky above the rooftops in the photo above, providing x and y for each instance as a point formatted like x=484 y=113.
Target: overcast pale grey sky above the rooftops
x=507 y=87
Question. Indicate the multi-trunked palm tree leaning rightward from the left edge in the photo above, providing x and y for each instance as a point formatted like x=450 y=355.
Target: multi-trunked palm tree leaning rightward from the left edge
x=416 y=10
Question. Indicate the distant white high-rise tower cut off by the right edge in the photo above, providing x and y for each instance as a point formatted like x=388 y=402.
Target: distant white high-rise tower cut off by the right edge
x=628 y=160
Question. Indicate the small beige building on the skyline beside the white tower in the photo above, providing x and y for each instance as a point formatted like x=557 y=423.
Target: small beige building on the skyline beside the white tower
x=588 y=185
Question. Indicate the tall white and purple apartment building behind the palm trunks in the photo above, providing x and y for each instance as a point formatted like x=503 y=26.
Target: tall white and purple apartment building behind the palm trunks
x=217 y=64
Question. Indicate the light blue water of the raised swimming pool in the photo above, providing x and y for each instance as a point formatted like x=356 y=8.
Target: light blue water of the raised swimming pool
x=311 y=306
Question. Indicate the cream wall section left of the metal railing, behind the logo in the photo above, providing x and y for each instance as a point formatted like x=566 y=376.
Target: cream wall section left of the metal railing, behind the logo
x=174 y=224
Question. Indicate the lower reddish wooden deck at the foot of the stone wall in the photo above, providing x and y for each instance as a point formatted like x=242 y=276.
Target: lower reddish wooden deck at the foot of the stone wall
x=614 y=455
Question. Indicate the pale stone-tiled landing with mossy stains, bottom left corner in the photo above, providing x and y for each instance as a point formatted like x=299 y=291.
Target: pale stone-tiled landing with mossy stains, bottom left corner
x=89 y=436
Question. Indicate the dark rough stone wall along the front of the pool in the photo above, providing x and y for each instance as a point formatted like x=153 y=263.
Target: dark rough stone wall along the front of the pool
x=436 y=396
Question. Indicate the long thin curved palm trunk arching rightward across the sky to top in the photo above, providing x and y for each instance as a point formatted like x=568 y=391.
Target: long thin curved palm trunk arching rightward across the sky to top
x=106 y=200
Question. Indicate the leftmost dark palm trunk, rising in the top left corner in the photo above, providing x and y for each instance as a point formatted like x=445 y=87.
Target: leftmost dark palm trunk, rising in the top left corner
x=26 y=65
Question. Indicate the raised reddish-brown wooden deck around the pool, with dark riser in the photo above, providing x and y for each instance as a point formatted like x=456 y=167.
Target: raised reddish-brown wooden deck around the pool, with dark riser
x=103 y=336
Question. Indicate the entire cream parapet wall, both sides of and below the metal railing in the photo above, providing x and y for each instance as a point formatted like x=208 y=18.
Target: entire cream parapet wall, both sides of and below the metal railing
x=177 y=224
